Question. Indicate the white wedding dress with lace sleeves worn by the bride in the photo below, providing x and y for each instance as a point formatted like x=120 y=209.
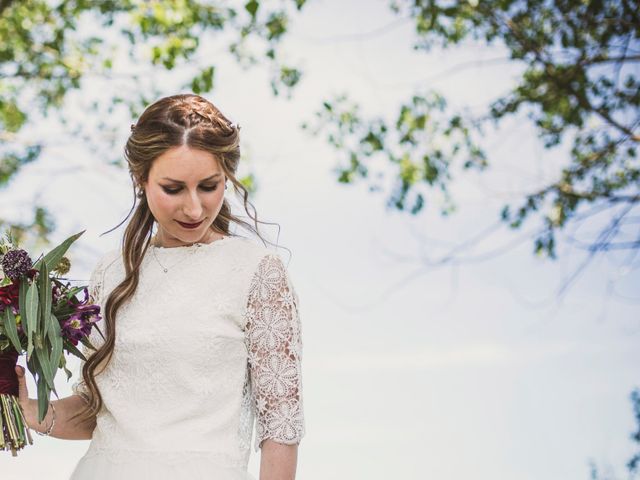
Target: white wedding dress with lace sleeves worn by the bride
x=202 y=351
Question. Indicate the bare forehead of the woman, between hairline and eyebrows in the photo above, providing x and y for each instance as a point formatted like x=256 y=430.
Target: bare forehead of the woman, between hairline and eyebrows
x=185 y=163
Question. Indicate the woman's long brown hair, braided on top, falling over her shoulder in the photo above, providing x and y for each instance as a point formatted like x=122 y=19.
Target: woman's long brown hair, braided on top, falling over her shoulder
x=170 y=122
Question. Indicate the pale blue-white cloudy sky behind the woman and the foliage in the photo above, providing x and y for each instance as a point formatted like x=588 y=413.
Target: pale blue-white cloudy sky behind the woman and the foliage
x=413 y=368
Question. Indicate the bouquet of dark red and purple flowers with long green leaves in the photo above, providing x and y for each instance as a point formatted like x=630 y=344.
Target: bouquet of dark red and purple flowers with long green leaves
x=40 y=315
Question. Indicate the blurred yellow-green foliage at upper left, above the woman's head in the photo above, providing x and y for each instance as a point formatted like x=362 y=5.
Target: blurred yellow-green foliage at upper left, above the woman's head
x=48 y=48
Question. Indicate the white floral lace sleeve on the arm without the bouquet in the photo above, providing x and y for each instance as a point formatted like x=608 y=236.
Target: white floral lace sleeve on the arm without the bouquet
x=274 y=345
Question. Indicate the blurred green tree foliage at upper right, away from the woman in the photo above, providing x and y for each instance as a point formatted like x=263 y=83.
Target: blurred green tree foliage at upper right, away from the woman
x=579 y=85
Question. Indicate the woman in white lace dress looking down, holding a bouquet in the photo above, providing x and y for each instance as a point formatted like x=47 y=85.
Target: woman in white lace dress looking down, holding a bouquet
x=202 y=333
